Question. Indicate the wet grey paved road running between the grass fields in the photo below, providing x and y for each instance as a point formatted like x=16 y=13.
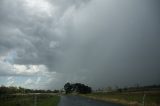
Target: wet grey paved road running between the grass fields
x=81 y=101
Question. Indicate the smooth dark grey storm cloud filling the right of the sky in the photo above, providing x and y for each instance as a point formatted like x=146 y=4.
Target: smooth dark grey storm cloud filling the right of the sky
x=116 y=43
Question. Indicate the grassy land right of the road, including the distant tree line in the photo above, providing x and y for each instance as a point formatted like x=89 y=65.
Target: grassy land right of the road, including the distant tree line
x=141 y=96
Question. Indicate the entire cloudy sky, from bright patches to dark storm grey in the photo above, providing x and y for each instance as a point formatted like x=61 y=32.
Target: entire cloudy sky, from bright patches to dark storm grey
x=101 y=43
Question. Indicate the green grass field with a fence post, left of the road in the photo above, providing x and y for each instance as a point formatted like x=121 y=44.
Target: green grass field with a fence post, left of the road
x=29 y=100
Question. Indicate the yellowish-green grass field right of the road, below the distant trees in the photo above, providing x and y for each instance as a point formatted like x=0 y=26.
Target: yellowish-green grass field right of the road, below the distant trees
x=129 y=98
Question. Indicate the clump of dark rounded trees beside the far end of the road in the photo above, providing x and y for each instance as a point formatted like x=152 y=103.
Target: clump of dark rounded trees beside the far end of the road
x=77 y=88
